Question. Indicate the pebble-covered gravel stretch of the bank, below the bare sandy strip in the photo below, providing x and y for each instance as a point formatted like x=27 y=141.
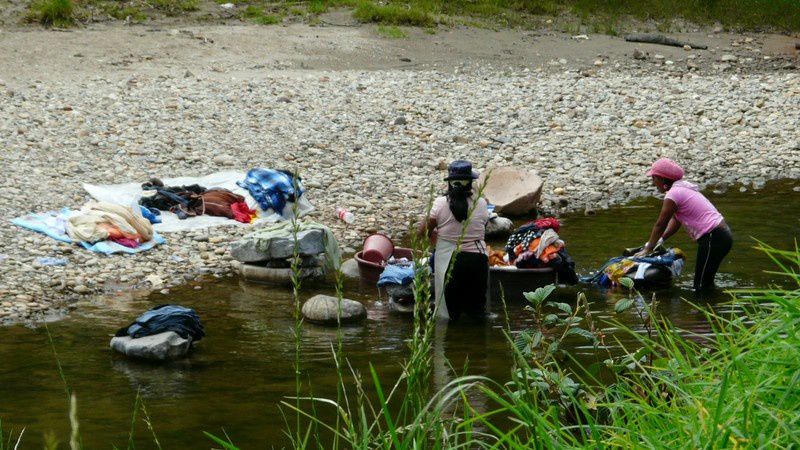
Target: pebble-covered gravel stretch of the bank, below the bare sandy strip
x=372 y=142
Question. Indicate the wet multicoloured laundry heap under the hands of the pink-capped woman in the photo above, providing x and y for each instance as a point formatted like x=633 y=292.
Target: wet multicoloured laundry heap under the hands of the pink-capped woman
x=656 y=270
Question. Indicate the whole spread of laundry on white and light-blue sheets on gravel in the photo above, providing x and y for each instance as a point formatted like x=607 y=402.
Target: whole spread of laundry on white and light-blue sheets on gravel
x=127 y=218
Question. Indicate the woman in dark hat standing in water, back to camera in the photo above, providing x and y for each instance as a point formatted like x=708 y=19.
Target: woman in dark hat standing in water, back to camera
x=459 y=221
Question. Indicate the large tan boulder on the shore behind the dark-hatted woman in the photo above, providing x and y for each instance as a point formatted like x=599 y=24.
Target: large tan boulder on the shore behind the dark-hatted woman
x=514 y=192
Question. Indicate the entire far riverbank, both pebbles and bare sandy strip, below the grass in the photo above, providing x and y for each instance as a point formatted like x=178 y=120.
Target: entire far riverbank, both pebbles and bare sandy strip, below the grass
x=196 y=101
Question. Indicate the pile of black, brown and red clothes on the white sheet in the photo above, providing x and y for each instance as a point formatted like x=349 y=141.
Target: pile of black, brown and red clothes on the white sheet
x=194 y=200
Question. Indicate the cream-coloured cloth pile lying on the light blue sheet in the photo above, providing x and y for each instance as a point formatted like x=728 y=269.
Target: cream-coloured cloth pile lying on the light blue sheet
x=104 y=221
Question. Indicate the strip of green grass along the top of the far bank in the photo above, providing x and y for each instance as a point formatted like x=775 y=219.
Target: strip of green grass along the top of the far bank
x=611 y=17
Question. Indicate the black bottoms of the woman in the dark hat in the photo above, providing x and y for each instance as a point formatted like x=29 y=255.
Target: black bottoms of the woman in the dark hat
x=466 y=291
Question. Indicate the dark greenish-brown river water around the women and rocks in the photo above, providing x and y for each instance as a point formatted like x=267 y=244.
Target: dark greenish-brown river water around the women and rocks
x=243 y=368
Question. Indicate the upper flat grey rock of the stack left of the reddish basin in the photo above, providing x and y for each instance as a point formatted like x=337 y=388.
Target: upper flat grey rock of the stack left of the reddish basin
x=256 y=249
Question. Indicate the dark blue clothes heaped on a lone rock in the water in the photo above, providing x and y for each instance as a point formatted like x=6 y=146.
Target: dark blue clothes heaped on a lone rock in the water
x=183 y=321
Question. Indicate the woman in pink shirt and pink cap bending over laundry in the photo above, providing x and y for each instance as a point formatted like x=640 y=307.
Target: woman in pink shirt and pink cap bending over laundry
x=685 y=205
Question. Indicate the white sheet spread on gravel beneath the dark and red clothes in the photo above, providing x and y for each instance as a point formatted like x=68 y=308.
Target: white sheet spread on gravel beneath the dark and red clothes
x=130 y=193
